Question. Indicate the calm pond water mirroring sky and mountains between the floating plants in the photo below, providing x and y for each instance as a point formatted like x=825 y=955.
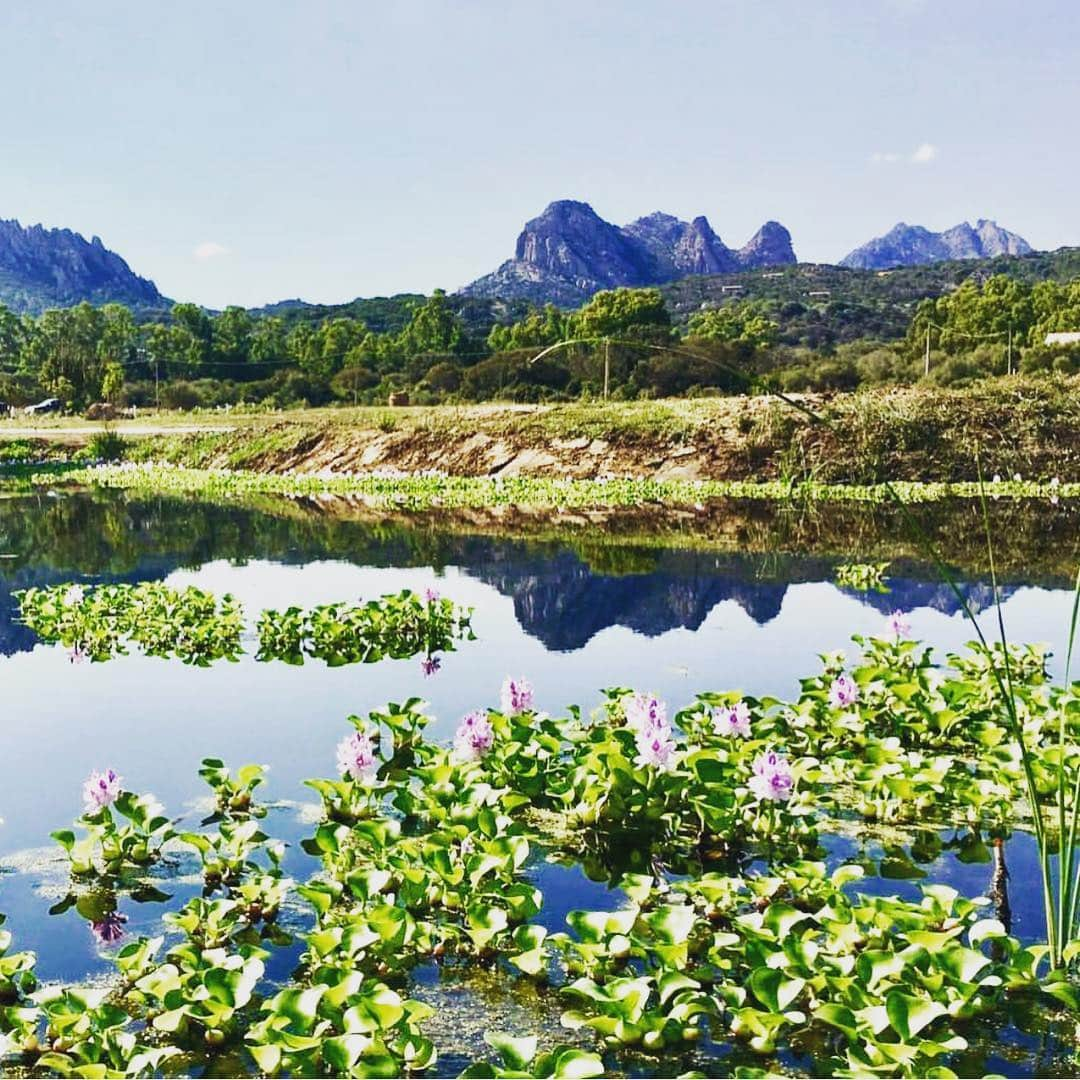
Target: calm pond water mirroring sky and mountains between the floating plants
x=669 y=620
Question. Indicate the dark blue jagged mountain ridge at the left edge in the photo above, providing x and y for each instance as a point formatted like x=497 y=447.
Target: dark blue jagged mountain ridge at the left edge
x=48 y=268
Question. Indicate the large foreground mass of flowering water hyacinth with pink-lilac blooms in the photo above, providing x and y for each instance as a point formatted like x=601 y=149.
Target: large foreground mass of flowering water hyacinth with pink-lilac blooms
x=425 y=853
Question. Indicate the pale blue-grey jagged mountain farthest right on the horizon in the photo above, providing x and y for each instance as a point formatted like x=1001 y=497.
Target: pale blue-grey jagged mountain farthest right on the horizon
x=907 y=246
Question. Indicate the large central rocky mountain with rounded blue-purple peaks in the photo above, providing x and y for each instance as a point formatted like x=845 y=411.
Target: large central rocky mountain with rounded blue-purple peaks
x=570 y=253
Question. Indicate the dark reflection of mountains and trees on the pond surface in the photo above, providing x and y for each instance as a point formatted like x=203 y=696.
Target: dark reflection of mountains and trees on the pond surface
x=563 y=596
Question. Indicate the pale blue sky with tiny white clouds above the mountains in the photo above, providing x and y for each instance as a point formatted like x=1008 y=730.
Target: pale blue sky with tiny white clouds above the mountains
x=245 y=153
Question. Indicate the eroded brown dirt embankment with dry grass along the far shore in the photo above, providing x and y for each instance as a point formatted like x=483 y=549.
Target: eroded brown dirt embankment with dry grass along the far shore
x=1003 y=427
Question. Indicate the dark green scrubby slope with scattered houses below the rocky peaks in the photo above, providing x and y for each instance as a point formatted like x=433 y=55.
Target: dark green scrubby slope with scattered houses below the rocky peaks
x=819 y=306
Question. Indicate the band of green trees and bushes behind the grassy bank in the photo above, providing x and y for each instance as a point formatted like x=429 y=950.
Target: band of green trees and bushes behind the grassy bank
x=623 y=339
